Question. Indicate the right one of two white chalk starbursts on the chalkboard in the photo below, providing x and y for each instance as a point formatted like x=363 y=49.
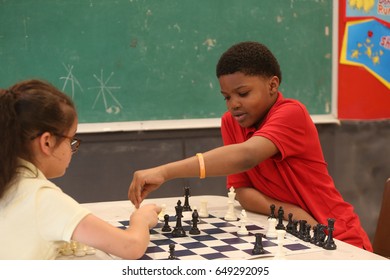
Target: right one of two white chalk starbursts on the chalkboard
x=105 y=91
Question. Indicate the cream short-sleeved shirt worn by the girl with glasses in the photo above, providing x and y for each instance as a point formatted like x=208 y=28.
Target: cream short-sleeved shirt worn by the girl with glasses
x=35 y=215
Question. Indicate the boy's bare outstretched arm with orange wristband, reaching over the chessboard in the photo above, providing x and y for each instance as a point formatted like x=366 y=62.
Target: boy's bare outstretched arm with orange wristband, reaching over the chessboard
x=221 y=161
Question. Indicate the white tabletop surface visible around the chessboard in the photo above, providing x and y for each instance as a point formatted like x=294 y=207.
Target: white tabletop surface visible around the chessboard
x=114 y=211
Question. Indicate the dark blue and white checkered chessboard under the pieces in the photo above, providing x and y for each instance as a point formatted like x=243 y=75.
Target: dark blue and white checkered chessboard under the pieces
x=218 y=239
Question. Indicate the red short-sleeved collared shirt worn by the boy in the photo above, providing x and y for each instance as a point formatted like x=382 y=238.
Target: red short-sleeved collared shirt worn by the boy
x=298 y=174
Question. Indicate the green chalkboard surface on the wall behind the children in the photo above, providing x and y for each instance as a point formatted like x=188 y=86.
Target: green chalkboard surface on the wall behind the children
x=134 y=60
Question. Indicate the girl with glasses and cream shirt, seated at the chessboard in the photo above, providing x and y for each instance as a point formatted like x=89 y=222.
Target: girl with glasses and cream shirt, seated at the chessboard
x=38 y=124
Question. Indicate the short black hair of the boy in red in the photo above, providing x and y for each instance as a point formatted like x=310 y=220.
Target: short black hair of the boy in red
x=250 y=58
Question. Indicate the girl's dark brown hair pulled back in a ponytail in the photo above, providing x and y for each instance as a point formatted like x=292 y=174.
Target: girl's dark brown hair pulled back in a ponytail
x=28 y=109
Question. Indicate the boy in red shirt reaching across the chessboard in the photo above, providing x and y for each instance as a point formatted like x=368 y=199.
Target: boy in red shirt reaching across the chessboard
x=271 y=153
